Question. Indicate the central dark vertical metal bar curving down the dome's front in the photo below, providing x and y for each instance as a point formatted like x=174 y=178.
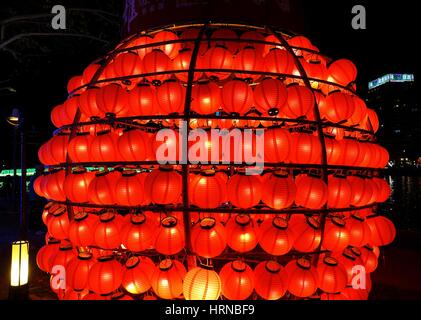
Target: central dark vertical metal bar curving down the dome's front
x=185 y=158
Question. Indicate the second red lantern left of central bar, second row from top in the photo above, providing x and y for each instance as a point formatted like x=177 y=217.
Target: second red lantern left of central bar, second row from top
x=156 y=61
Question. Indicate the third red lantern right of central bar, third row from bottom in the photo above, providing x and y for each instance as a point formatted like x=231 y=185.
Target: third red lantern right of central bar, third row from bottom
x=279 y=191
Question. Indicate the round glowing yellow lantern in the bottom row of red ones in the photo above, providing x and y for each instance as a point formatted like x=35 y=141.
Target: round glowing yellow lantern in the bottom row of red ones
x=201 y=284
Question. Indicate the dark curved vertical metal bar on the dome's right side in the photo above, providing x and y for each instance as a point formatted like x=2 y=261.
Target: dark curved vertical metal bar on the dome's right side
x=324 y=211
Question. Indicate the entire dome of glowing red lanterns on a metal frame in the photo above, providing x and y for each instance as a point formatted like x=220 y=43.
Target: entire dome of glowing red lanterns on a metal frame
x=288 y=217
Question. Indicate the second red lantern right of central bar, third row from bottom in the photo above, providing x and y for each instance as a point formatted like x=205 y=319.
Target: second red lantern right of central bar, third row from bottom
x=244 y=191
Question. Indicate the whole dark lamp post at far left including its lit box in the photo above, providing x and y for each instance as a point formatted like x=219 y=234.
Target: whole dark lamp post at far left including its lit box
x=20 y=249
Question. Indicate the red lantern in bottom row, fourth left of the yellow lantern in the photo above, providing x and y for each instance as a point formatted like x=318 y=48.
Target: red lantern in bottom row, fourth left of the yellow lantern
x=77 y=271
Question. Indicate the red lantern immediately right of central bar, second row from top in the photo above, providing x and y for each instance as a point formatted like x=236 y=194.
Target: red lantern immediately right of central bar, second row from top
x=217 y=58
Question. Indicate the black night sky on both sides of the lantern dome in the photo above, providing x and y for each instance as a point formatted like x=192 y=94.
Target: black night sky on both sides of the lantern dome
x=388 y=45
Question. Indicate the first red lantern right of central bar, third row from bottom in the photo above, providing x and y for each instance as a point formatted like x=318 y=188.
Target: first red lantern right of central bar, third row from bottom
x=207 y=190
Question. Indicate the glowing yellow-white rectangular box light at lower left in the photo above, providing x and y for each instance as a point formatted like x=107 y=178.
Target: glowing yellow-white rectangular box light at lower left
x=20 y=263
